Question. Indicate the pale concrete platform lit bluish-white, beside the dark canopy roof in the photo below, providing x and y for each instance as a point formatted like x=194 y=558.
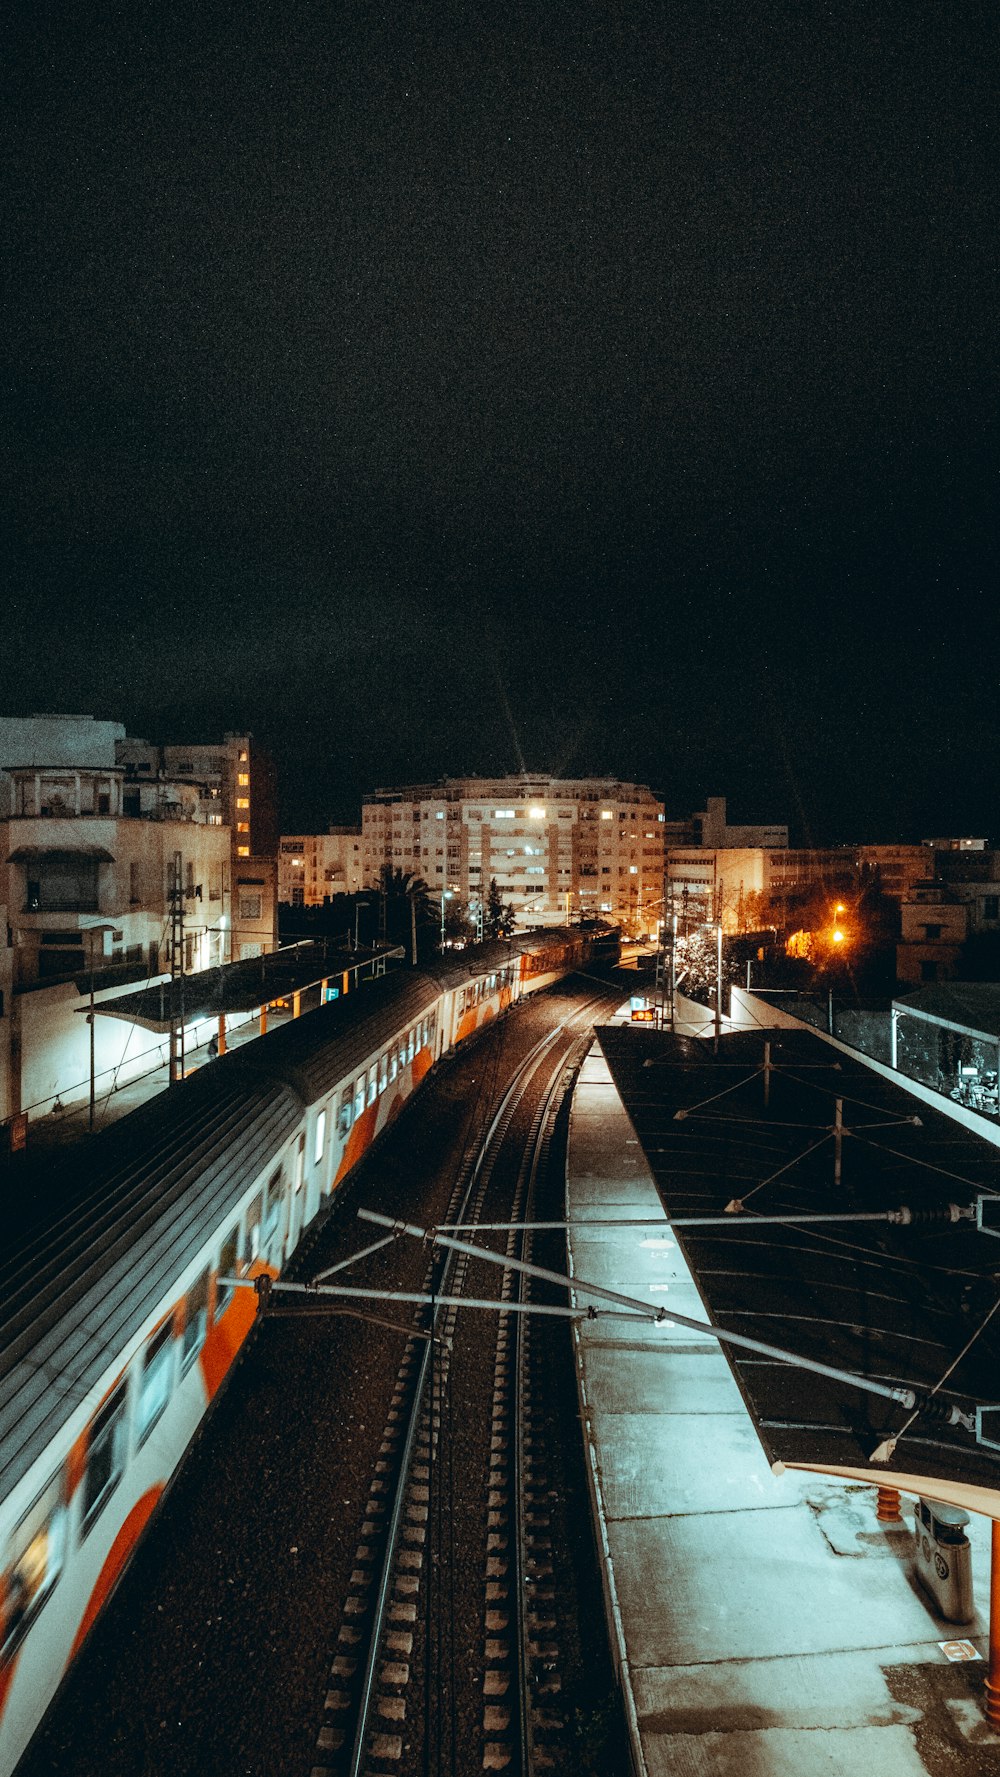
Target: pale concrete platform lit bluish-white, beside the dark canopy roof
x=766 y=1625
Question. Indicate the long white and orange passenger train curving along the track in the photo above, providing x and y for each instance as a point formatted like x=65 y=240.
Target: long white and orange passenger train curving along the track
x=116 y=1330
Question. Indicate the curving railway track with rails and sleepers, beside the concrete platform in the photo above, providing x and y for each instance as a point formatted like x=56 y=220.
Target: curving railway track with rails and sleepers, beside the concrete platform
x=448 y=1652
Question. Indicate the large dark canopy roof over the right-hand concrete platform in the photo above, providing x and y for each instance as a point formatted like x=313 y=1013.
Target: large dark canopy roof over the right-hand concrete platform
x=914 y=1307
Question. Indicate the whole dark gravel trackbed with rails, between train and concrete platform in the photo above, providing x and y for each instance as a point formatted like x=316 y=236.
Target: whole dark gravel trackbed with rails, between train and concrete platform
x=381 y=1552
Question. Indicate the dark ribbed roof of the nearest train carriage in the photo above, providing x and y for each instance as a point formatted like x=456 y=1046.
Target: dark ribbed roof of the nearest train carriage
x=123 y=1227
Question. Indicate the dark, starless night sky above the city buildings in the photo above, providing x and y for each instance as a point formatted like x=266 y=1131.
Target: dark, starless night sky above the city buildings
x=452 y=388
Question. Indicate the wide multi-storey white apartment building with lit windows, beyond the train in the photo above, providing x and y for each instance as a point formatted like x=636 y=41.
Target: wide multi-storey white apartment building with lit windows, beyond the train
x=559 y=849
